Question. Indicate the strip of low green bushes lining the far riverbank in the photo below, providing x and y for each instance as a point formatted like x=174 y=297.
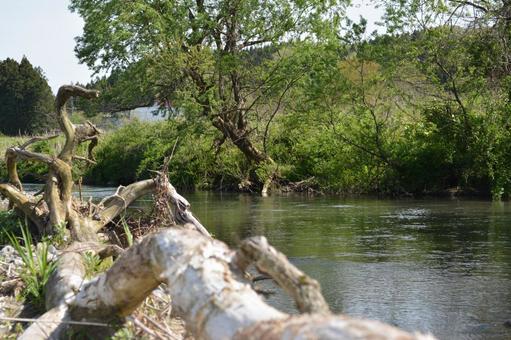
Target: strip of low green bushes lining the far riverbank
x=132 y=152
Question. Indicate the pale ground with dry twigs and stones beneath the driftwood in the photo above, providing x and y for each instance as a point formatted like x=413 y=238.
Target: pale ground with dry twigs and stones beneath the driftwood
x=17 y=310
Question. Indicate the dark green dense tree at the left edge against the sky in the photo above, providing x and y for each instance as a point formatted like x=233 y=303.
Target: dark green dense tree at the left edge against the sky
x=26 y=101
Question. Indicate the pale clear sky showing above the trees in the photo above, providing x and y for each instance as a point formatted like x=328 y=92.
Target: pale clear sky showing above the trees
x=44 y=31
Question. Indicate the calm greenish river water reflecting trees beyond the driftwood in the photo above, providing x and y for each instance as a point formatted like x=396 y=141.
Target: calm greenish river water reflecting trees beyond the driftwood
x=439 y=266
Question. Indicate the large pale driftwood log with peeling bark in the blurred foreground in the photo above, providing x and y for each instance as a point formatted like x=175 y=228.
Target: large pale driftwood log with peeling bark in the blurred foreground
x=208 y=292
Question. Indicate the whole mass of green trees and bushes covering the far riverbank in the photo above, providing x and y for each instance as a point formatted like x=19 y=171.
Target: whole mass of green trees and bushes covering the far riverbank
x=424 y=109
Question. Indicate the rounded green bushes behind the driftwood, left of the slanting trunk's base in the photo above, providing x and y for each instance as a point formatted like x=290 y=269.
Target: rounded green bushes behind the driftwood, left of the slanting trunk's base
x=130 y=153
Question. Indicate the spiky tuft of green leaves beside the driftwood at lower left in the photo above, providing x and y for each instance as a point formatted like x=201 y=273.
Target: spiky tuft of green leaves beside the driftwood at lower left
x=37 y=267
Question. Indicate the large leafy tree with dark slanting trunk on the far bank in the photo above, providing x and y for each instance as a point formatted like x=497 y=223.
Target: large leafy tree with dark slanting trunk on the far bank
x=196 y=56
